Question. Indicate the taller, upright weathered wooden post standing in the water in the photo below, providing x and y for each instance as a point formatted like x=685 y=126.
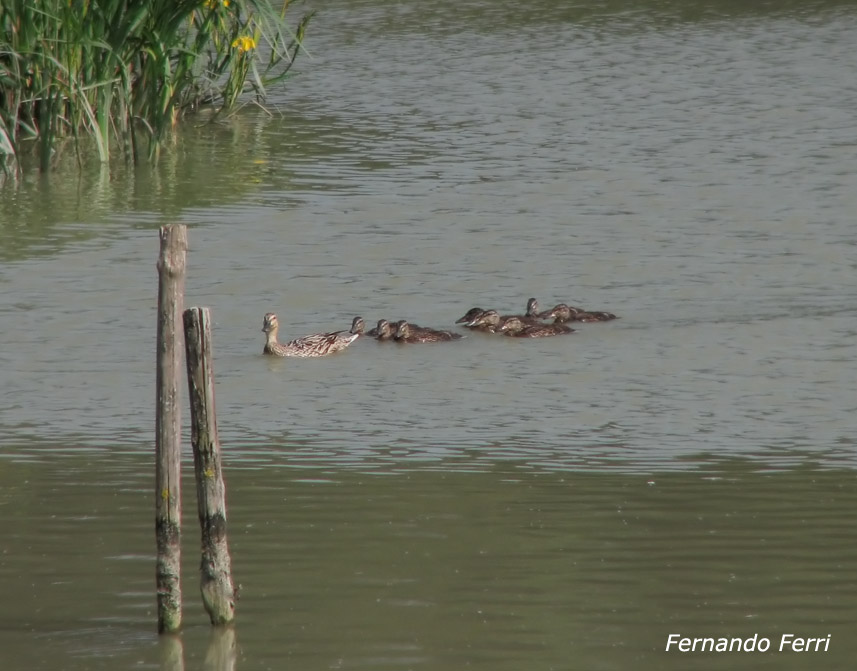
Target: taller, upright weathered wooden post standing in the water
x=168 y=500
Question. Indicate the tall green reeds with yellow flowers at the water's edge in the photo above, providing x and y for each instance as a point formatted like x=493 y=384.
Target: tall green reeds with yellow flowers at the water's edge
x=123 y=72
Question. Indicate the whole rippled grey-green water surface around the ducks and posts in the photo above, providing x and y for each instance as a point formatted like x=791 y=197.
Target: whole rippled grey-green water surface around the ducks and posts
x=685 y=165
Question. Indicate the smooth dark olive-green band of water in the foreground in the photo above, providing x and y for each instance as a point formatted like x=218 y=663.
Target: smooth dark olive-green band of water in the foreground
x=434 y=570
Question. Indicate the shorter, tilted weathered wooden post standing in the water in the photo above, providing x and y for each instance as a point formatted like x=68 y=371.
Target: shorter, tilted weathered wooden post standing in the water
x=218 y=592
